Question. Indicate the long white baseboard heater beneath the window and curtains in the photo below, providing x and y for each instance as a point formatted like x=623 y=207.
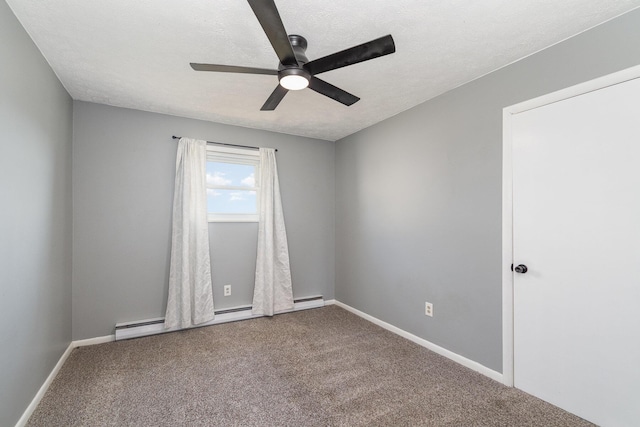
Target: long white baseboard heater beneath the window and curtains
x=143 y=328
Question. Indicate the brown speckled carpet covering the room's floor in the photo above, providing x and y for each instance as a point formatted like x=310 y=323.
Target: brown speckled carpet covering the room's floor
x=320 y=367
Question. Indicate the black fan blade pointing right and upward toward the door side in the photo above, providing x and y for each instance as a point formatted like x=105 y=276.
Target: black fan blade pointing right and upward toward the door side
x=365 y=51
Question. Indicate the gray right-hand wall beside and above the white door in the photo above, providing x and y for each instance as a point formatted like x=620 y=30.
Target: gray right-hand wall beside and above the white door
x=418 y=197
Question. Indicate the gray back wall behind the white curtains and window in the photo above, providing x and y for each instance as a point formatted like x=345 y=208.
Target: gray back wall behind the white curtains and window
x=123 y=173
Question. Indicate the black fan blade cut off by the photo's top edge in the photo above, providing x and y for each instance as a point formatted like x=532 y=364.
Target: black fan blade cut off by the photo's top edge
x=269 y=18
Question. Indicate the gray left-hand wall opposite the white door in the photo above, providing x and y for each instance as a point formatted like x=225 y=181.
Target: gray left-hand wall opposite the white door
x=35 y=219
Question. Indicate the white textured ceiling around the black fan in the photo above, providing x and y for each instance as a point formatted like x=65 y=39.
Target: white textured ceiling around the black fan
x=136 y=54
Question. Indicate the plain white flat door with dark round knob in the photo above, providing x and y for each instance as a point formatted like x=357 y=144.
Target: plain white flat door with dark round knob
x=576 y=227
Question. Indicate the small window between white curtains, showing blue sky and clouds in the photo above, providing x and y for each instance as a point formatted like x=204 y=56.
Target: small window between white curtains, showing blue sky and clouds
x=232 y=184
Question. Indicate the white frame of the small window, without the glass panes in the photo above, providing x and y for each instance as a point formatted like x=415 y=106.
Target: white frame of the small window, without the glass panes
x=240 y=156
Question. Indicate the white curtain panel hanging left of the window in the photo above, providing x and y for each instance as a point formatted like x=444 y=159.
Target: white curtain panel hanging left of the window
x=190 y=293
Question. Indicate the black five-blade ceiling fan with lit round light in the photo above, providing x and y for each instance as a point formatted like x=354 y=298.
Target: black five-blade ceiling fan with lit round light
x=295 y=71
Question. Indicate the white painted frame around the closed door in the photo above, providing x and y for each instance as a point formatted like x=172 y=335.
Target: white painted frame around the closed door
x=507 y=196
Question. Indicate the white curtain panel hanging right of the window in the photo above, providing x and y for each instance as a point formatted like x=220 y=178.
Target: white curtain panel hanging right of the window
x=272 y=292
